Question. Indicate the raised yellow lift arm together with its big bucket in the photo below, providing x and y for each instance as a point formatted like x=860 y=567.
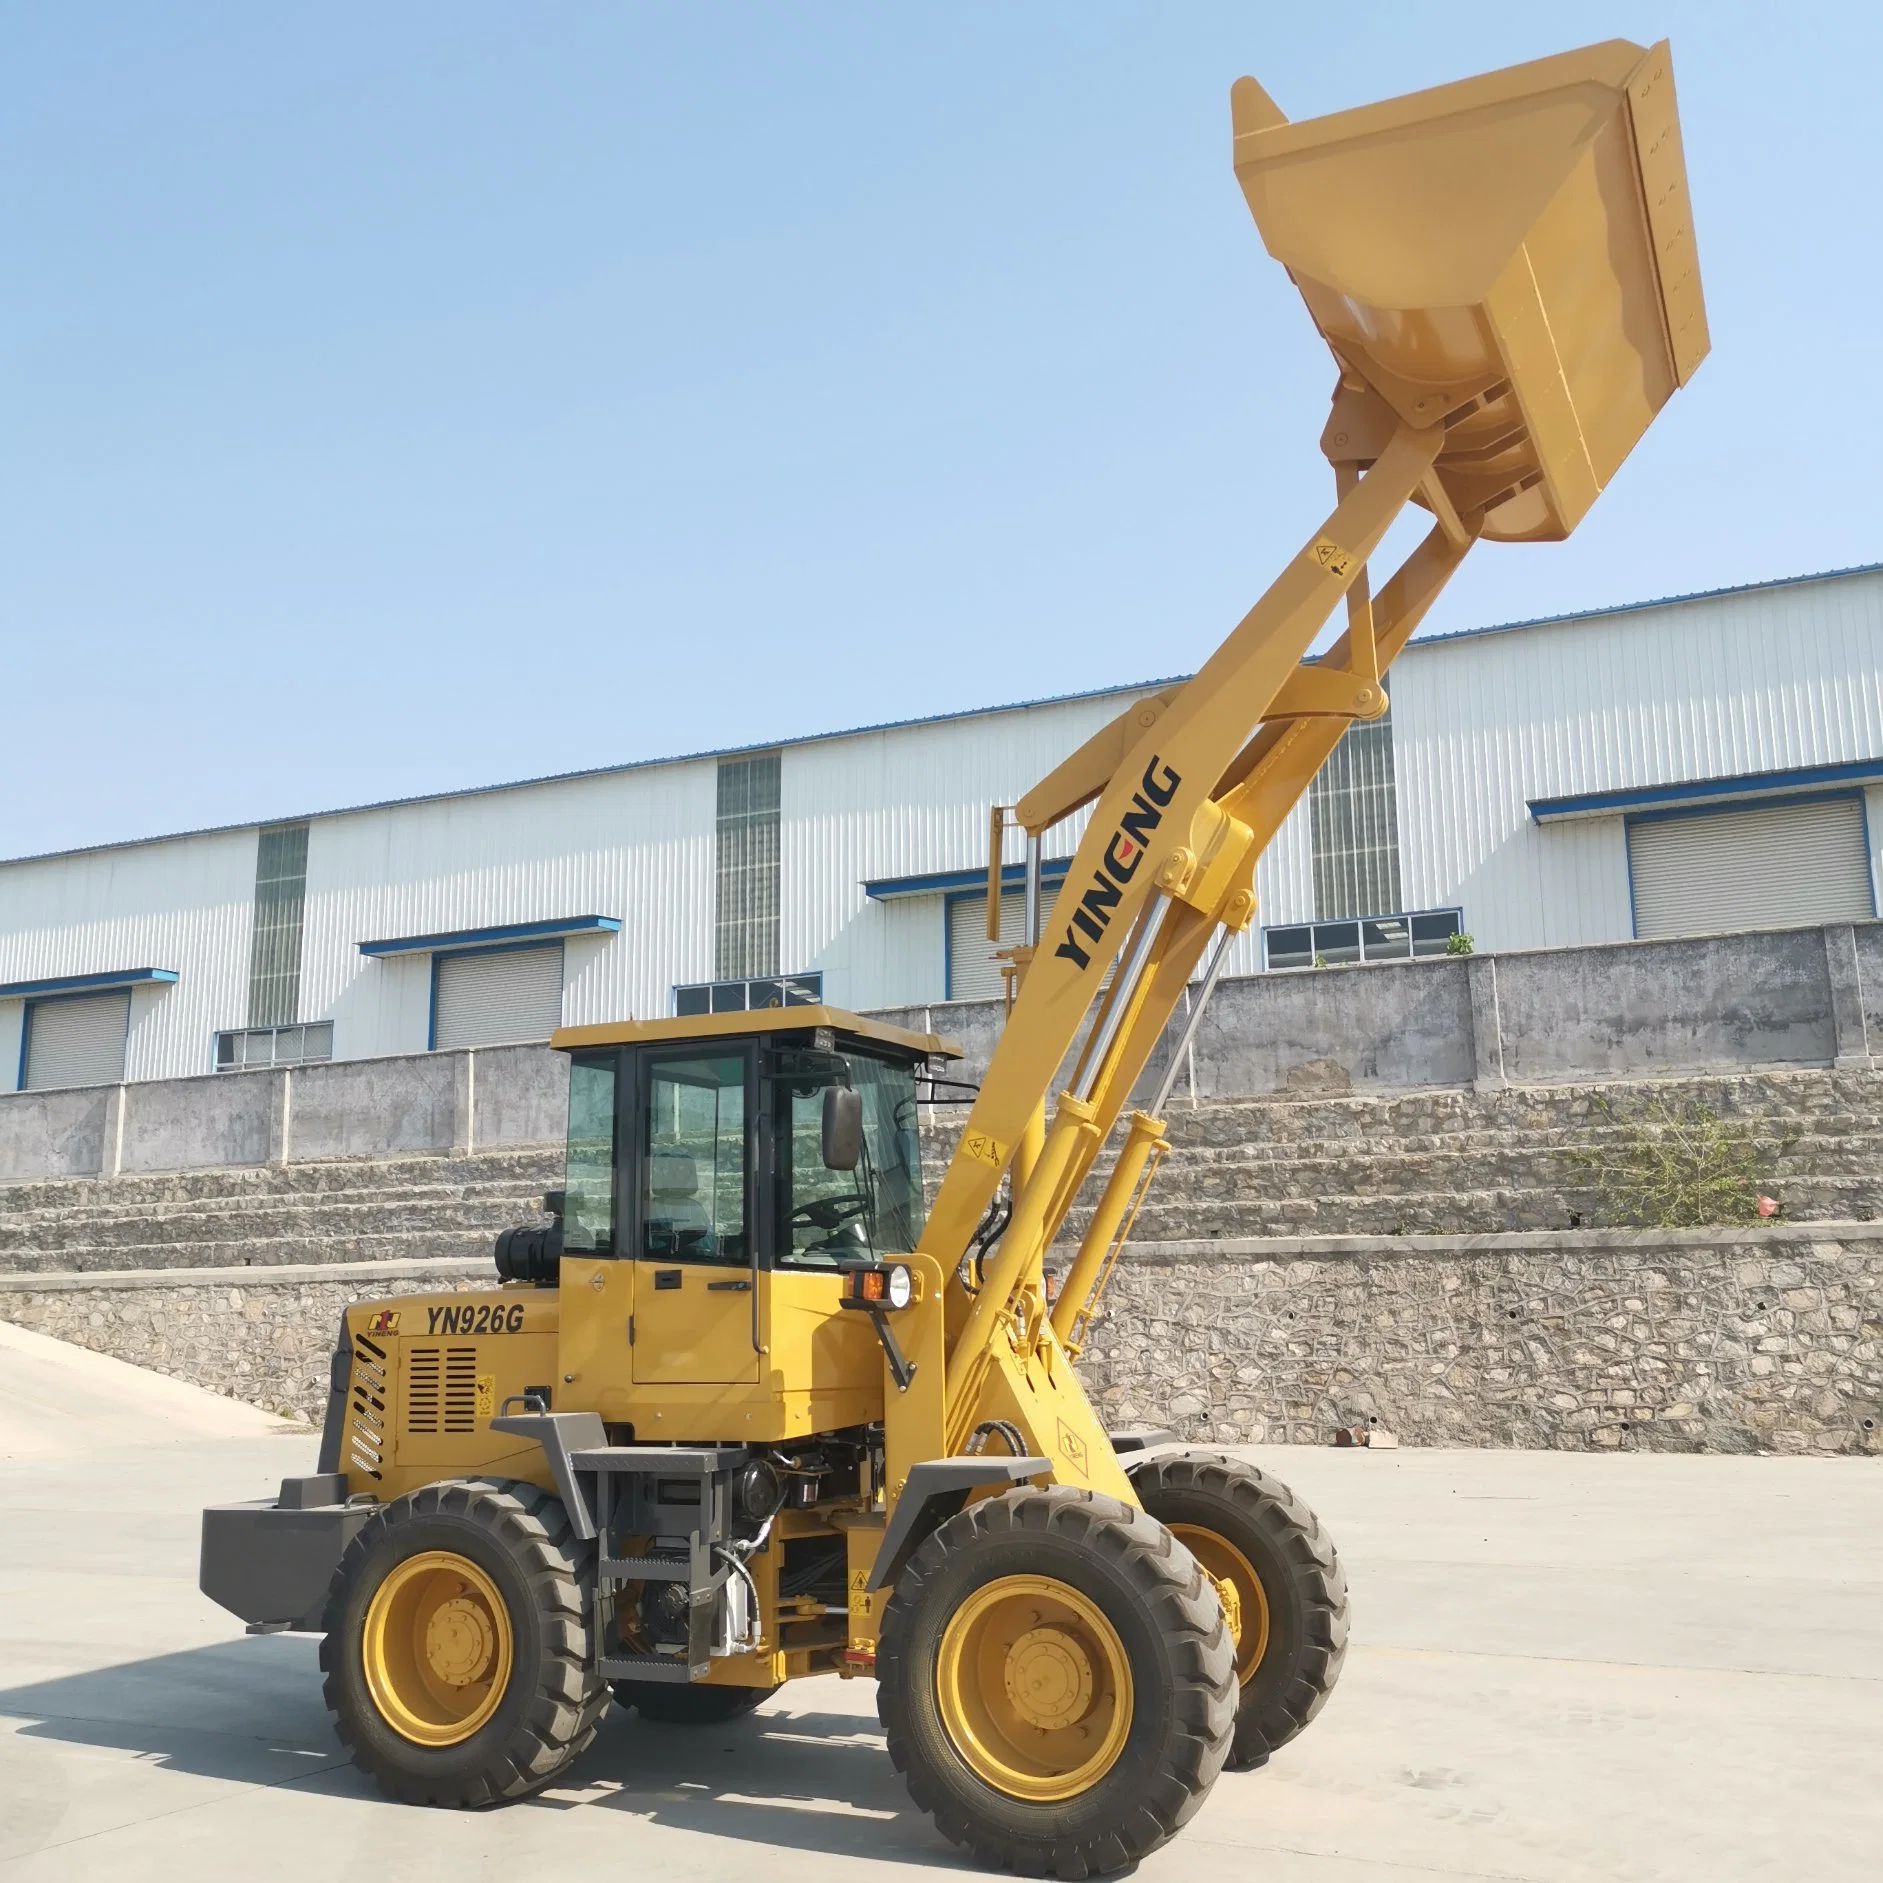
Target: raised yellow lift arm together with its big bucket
x=1500 y=357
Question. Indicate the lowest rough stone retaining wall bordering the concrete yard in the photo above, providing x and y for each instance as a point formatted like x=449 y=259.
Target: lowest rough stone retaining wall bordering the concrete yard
x=1690 y=1340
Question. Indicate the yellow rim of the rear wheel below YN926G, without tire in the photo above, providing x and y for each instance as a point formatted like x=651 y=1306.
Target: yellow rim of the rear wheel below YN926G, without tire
x=438 y=1649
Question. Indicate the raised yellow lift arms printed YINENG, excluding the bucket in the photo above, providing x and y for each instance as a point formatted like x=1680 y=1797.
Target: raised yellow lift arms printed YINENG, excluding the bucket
x=1202 y=779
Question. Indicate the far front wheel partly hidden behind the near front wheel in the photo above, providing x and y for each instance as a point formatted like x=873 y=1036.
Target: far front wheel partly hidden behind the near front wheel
x=1212 y=1500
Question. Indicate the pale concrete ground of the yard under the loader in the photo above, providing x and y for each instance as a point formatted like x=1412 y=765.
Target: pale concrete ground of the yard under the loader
x=1566 y=1667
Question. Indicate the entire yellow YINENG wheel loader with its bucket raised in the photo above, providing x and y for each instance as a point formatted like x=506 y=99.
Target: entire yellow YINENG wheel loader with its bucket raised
x=747 y=1409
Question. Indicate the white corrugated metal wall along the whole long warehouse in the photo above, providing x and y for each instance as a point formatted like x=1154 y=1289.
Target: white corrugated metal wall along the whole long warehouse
x=1756 y=681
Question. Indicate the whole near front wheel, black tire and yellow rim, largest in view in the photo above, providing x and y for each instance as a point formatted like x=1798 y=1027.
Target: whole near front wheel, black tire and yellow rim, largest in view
x=1057 y=1682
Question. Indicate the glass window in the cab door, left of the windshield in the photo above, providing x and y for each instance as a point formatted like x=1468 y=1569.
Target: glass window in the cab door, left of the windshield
x=694 y=1161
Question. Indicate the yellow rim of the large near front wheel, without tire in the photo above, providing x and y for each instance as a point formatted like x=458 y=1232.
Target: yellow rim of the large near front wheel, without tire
x=1035 y=1688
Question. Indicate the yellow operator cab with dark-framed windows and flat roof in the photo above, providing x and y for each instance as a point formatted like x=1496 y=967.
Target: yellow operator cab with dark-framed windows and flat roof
x=724 y=1174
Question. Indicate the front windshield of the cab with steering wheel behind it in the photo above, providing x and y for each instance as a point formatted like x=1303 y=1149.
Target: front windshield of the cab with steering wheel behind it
x=877 y=1210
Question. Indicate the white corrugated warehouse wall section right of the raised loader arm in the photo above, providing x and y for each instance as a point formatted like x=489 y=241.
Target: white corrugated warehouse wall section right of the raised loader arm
x=1752 y=683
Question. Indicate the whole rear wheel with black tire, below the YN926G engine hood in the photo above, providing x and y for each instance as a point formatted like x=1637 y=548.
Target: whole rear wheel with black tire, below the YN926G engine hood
x=459 y=1645
